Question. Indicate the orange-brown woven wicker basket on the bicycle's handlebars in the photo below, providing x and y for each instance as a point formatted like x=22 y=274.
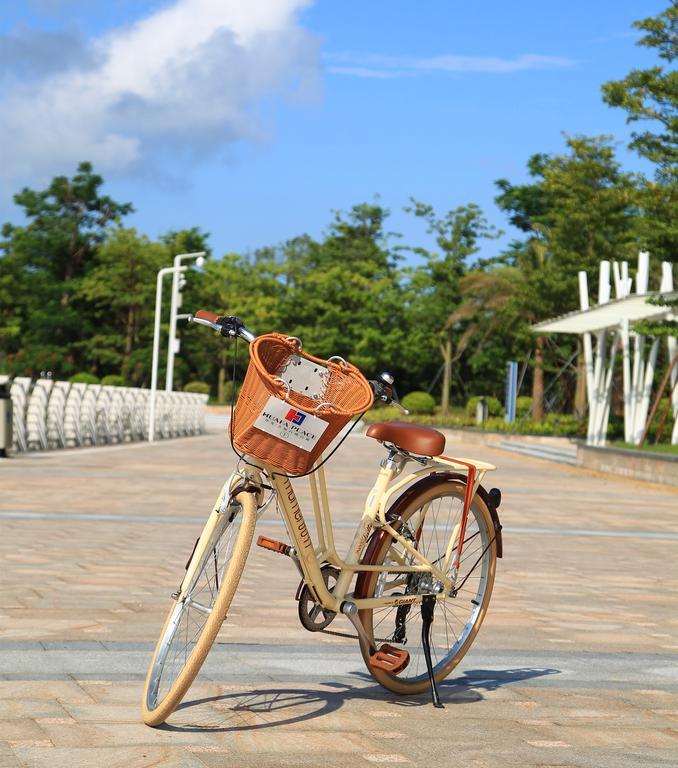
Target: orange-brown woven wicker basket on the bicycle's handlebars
x=346 y=394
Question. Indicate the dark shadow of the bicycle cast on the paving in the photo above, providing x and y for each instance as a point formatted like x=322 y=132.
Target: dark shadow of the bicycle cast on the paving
x=263 y=708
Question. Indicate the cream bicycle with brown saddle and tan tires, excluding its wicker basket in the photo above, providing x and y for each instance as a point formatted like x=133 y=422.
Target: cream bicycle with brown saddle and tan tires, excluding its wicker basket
x=427 y=542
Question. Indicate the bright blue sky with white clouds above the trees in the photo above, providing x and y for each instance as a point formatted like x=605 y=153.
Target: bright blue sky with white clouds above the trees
x=255 y=121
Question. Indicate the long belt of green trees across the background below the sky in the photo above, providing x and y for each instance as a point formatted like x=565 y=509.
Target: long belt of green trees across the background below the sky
x=77 y=285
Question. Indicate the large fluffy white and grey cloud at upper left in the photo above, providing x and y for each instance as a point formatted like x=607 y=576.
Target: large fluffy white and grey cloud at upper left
x=187 y=78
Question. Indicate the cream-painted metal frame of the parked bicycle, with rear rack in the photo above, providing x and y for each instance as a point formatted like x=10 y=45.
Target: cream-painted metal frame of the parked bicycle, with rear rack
x=310 y=557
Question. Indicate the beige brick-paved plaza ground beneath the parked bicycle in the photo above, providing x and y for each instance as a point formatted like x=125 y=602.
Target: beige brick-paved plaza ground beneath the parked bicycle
x=575 y=665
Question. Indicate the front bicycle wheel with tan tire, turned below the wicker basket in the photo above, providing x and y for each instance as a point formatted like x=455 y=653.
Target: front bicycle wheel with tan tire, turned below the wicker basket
x=240 y=529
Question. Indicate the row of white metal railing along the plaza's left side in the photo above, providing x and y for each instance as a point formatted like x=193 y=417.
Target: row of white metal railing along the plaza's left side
x=57 y=414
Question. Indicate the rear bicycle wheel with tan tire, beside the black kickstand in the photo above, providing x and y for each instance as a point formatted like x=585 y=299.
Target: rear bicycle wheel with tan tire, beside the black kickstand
x=479 y=543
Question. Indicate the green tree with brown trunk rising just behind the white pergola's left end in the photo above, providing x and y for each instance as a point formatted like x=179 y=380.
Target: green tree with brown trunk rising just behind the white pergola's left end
x=581 y=208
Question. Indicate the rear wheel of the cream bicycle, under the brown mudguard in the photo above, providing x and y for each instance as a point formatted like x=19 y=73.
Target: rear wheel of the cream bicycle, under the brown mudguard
x=431 y=514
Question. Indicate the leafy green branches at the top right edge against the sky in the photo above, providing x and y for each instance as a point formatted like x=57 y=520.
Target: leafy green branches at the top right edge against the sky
x=651 y=95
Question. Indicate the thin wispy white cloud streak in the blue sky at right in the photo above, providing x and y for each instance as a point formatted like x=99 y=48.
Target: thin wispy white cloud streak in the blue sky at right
x=378 y=66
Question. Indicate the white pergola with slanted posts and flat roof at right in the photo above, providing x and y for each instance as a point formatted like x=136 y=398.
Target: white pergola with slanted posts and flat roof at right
x=609 y=325
